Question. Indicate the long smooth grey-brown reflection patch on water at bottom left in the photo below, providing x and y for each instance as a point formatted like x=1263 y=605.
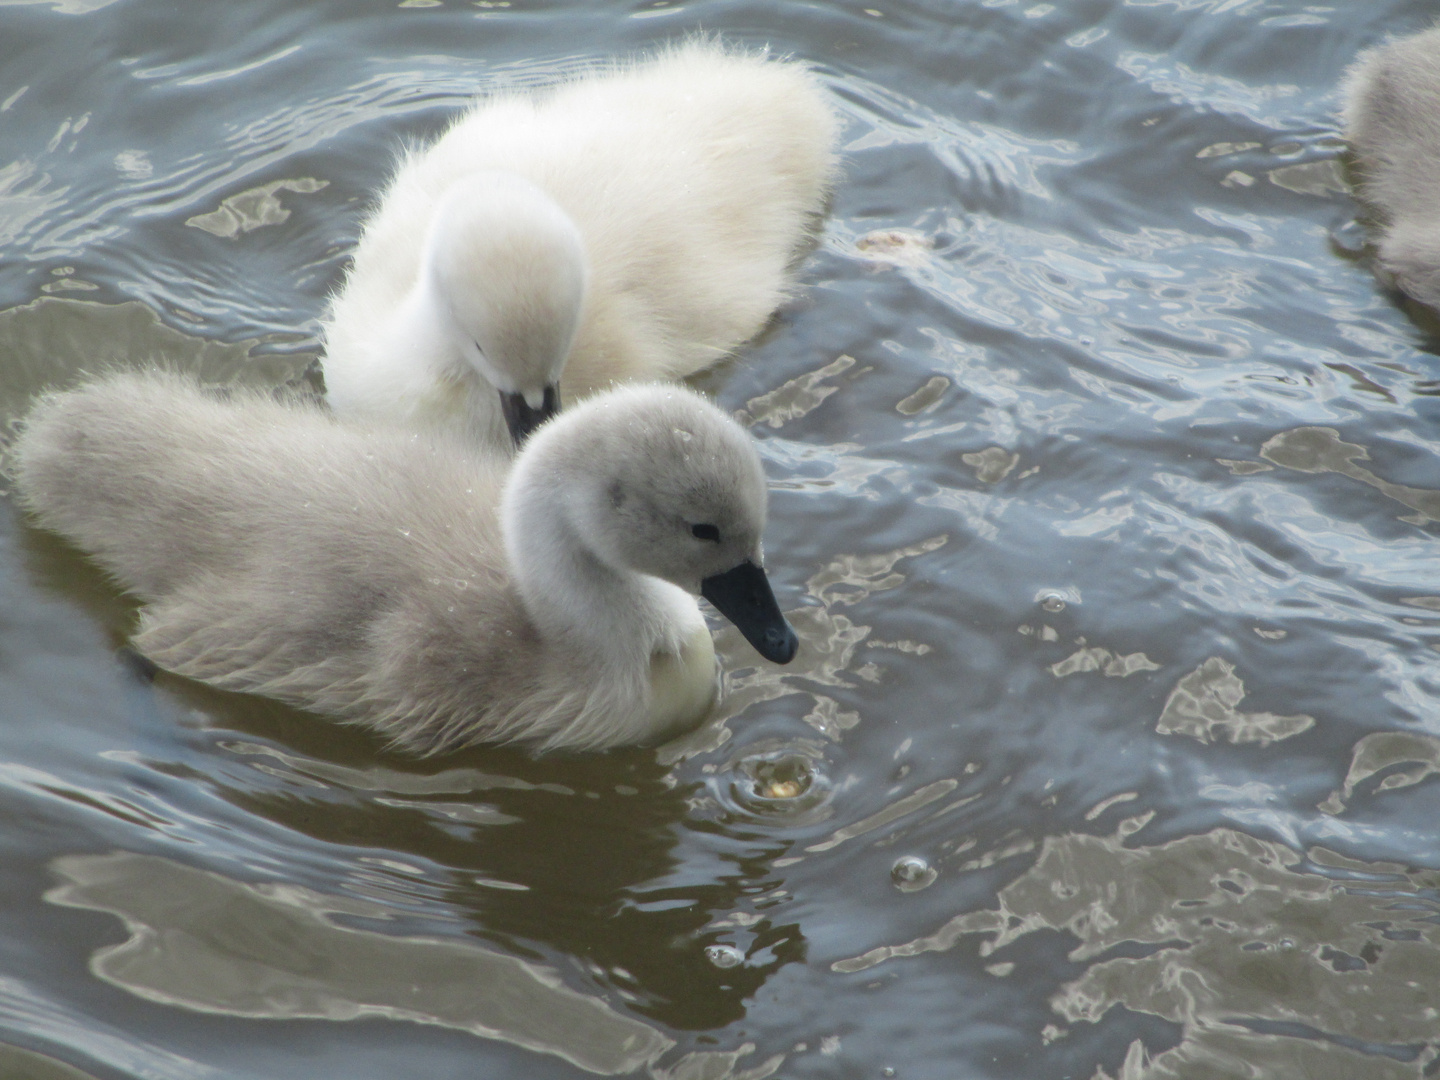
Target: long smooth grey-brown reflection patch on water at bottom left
x=211 y=944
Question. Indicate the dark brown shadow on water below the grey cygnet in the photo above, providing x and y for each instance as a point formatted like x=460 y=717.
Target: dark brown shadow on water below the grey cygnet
x=564 y=860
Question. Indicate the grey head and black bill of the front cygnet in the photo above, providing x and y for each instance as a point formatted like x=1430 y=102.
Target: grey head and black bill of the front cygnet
x=653 y=480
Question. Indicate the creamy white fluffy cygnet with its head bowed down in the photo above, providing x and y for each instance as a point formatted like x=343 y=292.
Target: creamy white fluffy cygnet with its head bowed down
x=637 y=222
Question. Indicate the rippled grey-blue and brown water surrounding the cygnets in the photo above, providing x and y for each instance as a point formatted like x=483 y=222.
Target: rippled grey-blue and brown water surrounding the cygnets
x=1105 y=500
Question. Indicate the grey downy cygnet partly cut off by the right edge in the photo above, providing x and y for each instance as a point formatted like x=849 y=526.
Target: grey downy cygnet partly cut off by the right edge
x=1393 y=122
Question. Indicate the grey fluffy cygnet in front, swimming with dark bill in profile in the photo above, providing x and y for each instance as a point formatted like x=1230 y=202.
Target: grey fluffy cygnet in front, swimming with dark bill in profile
x=407 y=584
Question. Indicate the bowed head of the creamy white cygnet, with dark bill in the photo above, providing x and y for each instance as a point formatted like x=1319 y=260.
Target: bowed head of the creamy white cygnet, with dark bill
x=509 y=271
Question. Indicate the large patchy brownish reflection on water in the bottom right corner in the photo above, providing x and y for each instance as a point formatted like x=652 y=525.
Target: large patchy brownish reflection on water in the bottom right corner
x=1271 y=963
